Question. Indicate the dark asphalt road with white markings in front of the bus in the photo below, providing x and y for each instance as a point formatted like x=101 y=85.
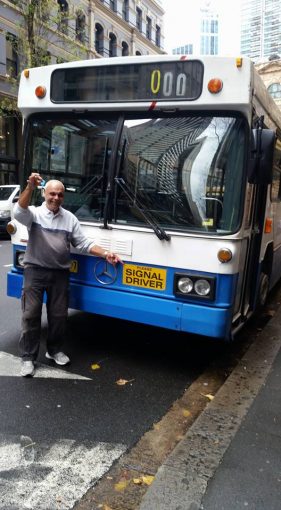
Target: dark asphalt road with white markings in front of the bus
x=62 y=430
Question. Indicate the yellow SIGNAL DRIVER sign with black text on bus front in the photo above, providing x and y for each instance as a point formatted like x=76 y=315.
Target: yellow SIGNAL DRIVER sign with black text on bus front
x=144 y=277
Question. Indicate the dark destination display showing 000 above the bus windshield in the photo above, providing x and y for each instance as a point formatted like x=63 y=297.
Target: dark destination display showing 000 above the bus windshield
x=159 y=81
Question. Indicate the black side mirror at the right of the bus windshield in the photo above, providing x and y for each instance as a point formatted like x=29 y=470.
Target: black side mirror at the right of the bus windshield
x=261 y=160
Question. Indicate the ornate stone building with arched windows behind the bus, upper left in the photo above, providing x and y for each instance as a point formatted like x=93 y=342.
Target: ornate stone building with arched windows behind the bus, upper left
x=68 y=30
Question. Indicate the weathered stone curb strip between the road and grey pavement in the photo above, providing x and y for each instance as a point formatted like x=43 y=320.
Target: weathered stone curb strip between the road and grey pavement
x=182 y=480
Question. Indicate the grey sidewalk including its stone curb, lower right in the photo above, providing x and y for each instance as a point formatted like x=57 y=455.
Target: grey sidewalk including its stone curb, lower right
x=230 y=459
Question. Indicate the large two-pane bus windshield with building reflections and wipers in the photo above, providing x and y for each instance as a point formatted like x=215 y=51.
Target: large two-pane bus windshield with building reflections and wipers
x=184 y=172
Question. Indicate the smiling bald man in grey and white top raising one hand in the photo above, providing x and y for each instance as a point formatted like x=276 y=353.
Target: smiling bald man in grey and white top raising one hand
x=52 y=230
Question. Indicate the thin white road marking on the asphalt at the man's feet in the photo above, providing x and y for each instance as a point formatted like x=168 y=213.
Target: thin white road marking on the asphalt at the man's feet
x=10 y=365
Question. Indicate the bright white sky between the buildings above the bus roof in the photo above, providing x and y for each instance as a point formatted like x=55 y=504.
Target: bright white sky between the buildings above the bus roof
x=179 y=24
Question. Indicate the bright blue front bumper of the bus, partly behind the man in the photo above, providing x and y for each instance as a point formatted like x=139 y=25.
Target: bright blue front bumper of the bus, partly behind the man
x=162 y=312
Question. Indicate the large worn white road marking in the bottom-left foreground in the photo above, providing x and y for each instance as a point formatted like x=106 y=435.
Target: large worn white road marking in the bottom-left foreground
x=40 y=477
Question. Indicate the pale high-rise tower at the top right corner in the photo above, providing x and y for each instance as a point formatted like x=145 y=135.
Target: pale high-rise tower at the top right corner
x=260 y=28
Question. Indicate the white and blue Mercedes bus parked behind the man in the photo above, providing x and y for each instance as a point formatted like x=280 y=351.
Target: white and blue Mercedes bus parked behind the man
x=172 y=162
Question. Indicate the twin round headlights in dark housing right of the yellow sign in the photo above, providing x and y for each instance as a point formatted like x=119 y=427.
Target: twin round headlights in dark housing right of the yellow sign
x=194 y=286
